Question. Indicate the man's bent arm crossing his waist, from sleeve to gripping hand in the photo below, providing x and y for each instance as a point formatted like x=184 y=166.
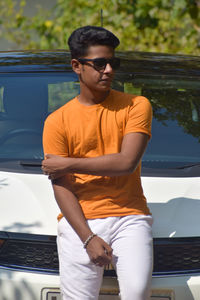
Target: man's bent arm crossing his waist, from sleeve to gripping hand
x=117 y=164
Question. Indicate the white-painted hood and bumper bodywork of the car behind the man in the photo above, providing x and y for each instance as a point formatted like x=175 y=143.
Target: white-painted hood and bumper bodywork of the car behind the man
x=31 y=208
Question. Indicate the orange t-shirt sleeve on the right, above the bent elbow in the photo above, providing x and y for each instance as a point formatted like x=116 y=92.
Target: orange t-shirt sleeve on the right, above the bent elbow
x=139 y=116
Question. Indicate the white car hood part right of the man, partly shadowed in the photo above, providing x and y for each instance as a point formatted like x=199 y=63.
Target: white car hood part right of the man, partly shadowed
x=175 y=205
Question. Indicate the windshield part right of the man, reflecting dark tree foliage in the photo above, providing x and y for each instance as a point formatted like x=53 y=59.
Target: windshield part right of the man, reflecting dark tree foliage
x=175 y=138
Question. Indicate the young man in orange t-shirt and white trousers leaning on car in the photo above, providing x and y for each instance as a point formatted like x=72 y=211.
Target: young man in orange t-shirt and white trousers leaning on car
x=93 y=147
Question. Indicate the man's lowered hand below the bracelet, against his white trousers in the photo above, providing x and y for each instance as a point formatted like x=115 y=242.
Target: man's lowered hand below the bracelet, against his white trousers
x=99 y=251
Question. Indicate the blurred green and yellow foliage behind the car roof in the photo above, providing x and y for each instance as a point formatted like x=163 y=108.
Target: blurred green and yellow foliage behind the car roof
x=168 y=26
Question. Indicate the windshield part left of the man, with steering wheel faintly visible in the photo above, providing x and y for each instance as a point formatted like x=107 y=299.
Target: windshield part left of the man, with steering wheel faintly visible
x=25 y=102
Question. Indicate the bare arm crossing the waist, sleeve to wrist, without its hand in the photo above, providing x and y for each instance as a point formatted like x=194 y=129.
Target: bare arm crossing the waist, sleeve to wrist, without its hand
x=117 y=164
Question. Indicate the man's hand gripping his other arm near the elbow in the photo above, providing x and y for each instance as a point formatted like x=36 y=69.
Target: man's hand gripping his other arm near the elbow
x=54 y=166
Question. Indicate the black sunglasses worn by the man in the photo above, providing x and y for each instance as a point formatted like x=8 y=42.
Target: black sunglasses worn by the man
x=100 y=64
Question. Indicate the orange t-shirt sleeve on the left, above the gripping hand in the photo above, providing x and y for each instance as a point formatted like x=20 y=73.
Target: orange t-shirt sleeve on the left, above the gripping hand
x=54 y=136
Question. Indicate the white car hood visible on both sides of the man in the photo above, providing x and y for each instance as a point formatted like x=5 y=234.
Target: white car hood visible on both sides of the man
x=27 y=204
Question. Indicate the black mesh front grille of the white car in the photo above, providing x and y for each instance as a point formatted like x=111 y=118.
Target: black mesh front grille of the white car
x=38 y=253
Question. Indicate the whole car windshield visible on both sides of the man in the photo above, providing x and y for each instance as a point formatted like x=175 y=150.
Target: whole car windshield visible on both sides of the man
x=27 y=99
